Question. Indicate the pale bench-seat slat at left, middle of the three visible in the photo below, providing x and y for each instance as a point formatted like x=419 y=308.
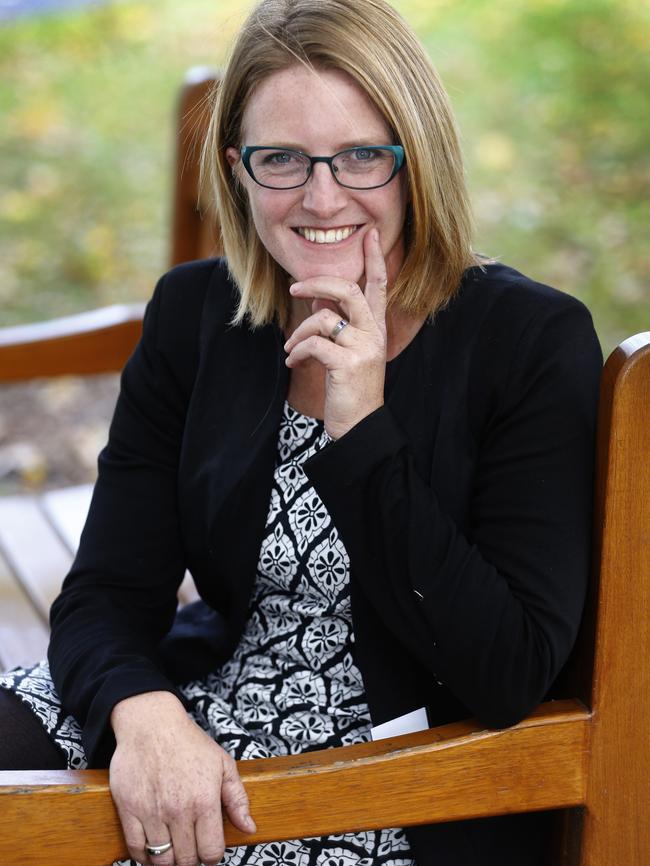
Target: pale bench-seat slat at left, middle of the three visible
x=35 y=552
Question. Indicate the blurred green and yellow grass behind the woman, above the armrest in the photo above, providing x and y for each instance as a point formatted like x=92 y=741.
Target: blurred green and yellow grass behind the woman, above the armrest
x=552 y=96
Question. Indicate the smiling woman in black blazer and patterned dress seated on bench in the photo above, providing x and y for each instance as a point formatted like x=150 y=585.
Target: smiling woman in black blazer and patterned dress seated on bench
x=371 y=447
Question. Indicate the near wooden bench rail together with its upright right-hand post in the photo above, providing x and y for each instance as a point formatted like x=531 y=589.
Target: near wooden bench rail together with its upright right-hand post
x=588 y=755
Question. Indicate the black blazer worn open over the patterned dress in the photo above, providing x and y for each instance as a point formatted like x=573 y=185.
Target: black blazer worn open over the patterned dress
x=464 y=504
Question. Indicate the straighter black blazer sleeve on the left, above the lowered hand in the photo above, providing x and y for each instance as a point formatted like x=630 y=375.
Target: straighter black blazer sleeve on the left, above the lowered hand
x=119 y=598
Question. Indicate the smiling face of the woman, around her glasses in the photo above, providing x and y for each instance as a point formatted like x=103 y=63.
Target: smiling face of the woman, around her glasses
x=320 y=113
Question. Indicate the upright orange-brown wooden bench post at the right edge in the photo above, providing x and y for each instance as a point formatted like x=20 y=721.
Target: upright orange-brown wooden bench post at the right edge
x=617 y=820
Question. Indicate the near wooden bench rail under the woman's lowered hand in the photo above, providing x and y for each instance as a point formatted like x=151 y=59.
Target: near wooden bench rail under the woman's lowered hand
x=444 y=774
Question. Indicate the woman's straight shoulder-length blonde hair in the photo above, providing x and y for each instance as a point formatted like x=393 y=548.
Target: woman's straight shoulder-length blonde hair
x=373 y=44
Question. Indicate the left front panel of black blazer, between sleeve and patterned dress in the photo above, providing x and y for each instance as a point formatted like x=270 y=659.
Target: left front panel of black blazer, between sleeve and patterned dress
x=229 y=454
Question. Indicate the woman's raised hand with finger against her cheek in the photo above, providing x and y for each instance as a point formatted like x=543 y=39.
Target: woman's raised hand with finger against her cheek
x=356 y=362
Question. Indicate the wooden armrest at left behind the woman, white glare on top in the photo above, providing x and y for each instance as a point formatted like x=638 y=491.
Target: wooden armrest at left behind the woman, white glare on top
x=99 y=341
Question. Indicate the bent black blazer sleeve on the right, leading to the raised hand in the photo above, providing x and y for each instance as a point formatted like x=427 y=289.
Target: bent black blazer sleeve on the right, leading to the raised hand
x=492 y=608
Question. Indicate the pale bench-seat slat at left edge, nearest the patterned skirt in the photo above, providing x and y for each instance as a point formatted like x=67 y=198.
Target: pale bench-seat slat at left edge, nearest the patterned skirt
x=23 y=635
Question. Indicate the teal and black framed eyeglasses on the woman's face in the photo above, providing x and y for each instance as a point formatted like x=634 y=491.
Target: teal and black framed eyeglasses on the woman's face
x=355 y=168
